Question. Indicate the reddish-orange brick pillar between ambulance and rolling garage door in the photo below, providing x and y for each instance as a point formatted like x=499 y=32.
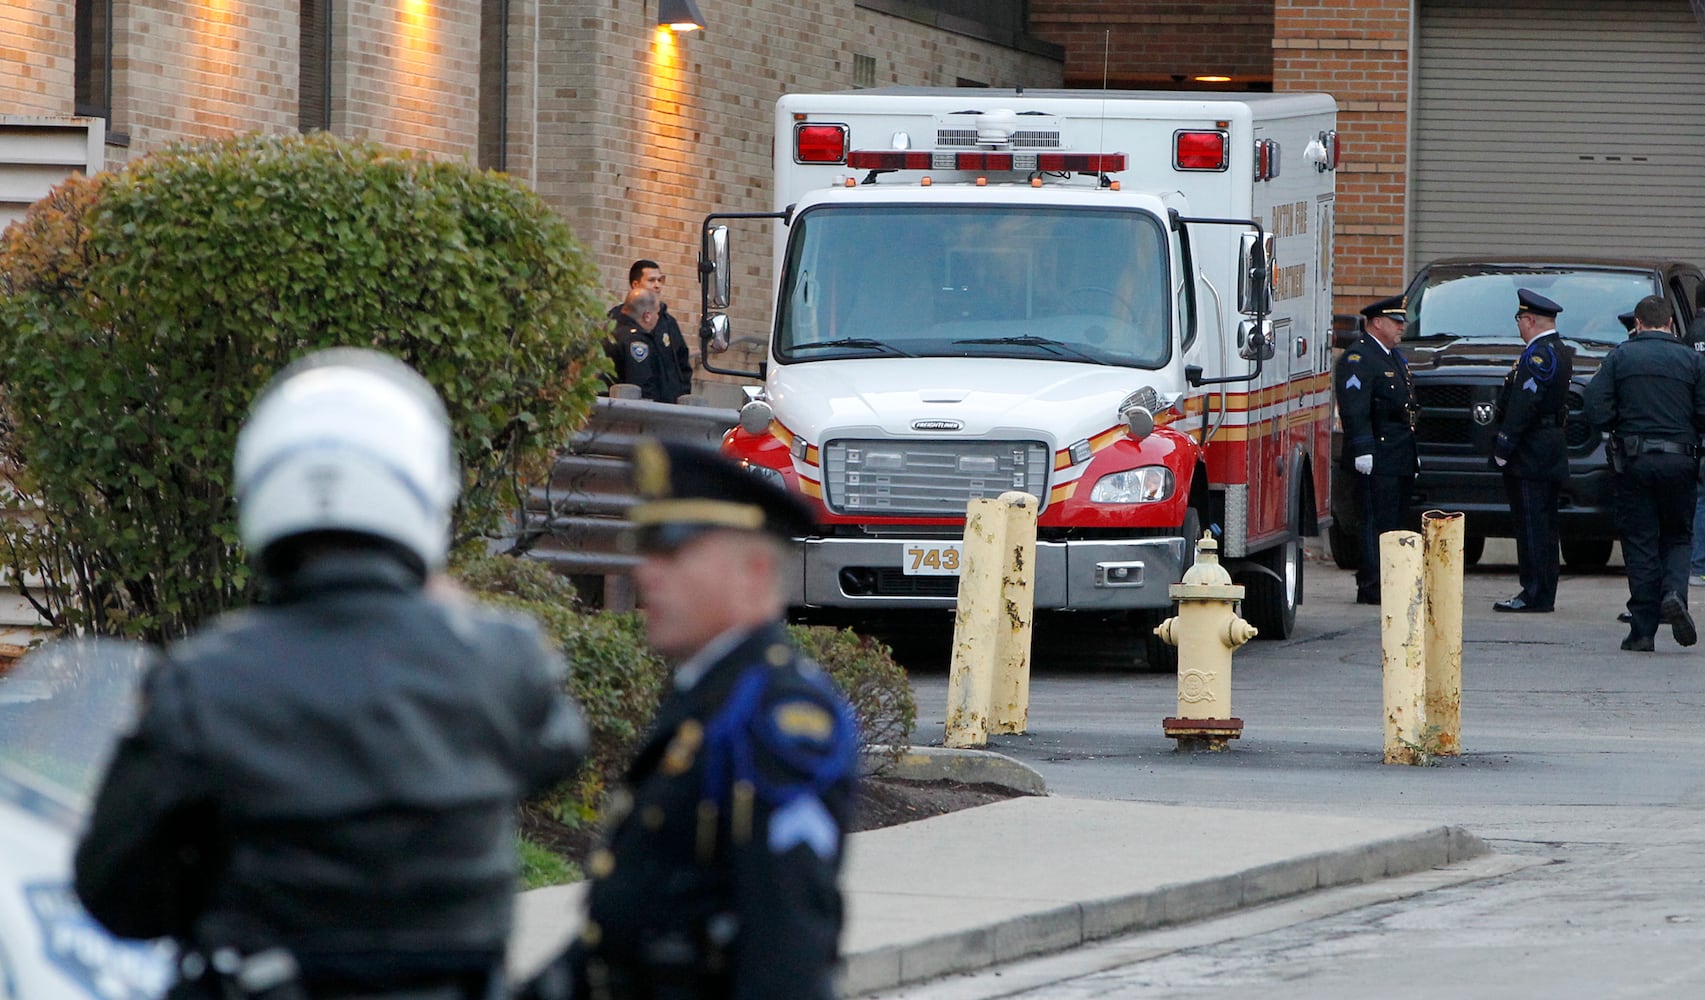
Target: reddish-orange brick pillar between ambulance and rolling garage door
x=1360 y=55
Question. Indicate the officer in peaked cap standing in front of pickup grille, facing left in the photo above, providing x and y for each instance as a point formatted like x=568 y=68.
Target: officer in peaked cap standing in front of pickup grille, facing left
x=1532 y=451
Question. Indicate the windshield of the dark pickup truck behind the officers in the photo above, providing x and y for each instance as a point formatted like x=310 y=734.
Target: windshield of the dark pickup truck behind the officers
x=1481 y=302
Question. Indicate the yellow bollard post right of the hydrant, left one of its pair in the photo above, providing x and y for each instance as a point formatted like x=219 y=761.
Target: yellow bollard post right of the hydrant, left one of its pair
x=1404 y=641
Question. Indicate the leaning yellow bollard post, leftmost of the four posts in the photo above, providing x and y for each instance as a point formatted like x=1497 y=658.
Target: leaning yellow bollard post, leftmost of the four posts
x=971 y=672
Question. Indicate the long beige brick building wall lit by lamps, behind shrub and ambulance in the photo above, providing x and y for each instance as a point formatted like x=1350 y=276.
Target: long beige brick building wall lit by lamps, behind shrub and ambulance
x=633 y=134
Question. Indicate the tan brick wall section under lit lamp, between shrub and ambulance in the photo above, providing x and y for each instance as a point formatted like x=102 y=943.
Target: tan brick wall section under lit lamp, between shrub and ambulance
x=644 y=134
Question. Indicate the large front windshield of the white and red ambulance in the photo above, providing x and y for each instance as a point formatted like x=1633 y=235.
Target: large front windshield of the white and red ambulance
x=973 y=282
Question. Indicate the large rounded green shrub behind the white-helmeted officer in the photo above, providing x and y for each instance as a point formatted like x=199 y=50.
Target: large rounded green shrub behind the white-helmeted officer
x=142 y=311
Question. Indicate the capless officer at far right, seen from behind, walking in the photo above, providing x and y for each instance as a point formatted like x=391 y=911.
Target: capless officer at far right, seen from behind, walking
x=1651 y=398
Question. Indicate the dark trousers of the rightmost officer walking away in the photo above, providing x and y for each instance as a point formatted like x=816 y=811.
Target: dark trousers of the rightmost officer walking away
x=1655 y=515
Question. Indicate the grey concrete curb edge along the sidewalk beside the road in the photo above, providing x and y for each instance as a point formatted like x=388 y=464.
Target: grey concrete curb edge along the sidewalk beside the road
x=1075 y=924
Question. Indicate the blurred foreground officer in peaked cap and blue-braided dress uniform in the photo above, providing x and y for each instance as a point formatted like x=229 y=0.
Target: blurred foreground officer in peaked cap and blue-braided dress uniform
x=722 y=863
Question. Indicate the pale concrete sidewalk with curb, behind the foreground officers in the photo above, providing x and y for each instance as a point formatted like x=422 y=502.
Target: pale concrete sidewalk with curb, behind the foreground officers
x=1039 y=875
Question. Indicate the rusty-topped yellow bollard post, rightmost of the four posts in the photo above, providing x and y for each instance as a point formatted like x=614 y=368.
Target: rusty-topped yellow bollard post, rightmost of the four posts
x=1443 y=548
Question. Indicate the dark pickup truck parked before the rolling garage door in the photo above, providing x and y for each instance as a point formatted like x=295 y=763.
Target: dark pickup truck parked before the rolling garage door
x=1462 y=340
